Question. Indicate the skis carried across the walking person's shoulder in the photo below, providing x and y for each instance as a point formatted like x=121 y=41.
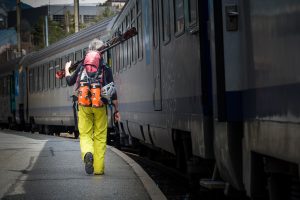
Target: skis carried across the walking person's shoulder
x=116 y=40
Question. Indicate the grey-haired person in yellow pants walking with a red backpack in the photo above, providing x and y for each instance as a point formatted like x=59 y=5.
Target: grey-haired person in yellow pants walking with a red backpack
x=94 y=83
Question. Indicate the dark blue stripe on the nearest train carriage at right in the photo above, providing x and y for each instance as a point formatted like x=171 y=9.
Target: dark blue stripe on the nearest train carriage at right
x=276 y=101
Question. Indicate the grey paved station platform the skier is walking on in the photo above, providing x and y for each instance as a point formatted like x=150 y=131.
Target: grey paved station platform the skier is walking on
x=34 y=166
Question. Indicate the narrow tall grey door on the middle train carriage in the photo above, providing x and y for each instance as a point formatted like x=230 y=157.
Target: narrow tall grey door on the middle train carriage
x=156 y=54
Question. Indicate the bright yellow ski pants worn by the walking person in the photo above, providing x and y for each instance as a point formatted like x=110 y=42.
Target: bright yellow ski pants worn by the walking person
x=92 y=125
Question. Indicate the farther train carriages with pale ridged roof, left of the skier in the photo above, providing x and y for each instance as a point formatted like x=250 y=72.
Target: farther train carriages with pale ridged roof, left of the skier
x=32 y=98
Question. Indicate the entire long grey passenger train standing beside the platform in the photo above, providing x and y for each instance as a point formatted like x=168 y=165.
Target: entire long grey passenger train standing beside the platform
x=212 y=82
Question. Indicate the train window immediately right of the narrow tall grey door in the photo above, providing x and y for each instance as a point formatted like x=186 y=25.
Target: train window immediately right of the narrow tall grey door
x=166 y=21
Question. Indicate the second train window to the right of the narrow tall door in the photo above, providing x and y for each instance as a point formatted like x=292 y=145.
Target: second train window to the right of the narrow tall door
x=179 y=16
